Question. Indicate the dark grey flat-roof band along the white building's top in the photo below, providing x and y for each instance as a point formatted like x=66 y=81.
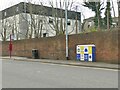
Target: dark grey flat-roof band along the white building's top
x=23 y=7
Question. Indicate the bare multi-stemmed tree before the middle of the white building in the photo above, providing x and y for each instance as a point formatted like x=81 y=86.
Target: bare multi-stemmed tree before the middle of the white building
x=34 y=20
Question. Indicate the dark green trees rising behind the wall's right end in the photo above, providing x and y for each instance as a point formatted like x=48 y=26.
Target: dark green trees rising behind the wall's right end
x=97 y=7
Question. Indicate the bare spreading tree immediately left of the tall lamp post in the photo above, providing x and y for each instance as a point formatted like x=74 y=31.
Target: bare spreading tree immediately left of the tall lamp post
x=59 y=21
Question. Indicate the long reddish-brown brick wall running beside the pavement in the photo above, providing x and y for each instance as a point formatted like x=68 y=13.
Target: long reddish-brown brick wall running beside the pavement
x=54 y=47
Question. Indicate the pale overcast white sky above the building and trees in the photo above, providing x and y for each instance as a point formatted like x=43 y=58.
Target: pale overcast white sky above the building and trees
x=86 y=12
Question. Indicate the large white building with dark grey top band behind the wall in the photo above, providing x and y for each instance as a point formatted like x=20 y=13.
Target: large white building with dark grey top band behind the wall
x=26 y=20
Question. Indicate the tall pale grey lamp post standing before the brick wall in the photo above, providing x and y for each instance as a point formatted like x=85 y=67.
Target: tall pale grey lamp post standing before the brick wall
x=66 y=30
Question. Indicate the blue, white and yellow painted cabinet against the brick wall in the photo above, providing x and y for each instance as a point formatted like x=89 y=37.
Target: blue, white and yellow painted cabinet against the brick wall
x=85 y=52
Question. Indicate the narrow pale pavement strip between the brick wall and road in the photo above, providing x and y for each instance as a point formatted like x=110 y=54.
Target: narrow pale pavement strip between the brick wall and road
x=67 y=62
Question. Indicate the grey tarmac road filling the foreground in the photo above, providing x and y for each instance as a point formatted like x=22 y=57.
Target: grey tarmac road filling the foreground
x=21 y=74
